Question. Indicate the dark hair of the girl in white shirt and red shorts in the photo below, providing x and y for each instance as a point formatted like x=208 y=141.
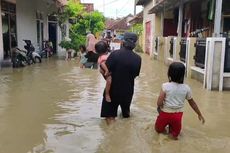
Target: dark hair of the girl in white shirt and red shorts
x=176 y=72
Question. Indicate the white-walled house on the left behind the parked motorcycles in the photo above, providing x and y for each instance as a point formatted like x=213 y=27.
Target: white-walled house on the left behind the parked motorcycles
x=25 y=19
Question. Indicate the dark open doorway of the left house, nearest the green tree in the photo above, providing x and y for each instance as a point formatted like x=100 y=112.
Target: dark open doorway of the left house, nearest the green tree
x=53 y=35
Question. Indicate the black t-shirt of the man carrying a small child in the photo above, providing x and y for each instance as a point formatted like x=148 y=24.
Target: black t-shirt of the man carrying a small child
x=124 y=66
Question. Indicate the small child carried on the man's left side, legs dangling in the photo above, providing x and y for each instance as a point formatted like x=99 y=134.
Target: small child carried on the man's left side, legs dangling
x=102 y=50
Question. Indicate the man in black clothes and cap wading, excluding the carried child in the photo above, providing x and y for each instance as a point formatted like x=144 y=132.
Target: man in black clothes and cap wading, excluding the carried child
x=124 y=66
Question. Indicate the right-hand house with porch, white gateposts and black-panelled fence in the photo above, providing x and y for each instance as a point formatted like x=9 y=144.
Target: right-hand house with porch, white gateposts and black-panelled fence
x=195 y=32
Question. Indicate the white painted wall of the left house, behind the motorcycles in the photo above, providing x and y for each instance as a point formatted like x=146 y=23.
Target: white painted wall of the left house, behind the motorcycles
x=26 y=20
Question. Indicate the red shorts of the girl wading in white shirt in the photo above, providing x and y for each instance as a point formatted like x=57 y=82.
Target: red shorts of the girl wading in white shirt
x=171 y=119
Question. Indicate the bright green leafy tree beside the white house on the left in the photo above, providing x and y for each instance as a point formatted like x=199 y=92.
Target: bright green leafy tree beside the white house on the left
x=93 y=21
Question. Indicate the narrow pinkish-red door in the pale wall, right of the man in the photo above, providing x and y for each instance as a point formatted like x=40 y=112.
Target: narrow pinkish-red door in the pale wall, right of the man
x=148 y=37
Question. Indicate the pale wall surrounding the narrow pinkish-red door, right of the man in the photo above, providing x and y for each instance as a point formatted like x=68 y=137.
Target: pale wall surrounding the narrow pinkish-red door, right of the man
x=146 y=18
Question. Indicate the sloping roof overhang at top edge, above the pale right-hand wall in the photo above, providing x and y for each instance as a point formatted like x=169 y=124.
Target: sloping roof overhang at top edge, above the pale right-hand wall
x=164 y=5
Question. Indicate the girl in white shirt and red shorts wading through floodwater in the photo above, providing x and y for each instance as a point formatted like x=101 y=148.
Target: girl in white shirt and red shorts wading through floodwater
x=171 y=101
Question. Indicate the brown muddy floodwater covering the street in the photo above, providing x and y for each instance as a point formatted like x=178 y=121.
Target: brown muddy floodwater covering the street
x=54 y=107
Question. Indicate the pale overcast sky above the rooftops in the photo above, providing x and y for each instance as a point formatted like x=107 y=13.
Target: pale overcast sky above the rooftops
x=114 y=8
